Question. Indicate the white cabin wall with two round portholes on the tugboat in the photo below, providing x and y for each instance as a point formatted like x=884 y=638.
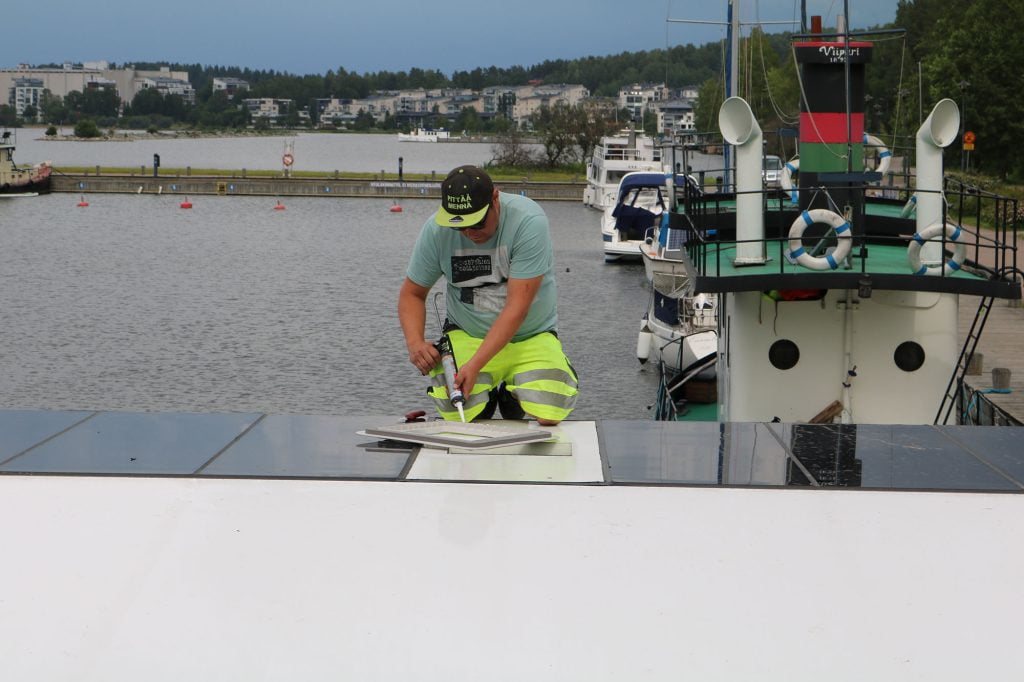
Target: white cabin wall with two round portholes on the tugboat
x=831 y=342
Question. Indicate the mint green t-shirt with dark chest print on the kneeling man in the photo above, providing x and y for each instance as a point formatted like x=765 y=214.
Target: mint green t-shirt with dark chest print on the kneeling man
x=478 y=275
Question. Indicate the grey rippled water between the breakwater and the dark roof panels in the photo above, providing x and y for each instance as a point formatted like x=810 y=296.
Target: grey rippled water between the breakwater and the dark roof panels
x=137 y=305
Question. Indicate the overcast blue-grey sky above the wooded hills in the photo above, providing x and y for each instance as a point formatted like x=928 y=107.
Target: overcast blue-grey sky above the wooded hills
x=313 y=36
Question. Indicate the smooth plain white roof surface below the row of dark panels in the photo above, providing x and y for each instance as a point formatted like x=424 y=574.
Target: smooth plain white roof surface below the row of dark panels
x=127 y=579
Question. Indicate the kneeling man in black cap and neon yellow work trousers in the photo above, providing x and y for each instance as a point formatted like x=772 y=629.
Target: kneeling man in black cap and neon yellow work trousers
x=495 y=252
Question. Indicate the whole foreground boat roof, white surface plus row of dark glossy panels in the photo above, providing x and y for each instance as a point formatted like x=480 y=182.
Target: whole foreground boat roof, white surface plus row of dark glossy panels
x=282 y=547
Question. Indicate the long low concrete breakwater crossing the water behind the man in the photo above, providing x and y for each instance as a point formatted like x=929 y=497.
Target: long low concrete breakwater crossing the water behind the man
x=292 y=187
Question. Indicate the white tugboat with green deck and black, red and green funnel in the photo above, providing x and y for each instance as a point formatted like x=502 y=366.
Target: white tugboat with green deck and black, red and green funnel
x=842 y=307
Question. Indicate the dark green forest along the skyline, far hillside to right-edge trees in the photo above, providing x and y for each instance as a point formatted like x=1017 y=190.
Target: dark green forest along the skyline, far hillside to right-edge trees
x=968 y=51
